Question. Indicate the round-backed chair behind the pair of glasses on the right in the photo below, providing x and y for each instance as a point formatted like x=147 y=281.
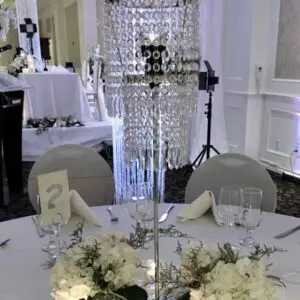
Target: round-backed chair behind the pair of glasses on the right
x=234 y=170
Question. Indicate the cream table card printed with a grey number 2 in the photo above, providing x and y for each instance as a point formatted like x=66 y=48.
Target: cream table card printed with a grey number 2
x=54 y=197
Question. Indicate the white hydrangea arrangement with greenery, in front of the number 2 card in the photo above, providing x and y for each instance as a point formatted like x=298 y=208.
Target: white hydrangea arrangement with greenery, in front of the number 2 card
x=99 y=267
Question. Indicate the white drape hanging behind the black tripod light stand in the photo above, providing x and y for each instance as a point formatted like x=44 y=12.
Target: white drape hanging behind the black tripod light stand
x=211 y=37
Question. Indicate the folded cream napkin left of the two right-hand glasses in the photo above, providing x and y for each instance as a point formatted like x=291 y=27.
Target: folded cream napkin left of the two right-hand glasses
x=199 y=207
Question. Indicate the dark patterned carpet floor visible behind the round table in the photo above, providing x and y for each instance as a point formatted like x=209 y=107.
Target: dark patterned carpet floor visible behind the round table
x=176 y=181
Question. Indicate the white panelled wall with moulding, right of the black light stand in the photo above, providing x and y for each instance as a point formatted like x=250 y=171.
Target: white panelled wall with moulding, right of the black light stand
x=264 y=125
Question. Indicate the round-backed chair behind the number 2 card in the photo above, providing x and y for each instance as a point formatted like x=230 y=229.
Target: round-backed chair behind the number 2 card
x=88 y=172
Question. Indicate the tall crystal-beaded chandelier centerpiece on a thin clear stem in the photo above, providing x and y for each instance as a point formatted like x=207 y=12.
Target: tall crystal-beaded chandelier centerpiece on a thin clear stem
x=151 y=84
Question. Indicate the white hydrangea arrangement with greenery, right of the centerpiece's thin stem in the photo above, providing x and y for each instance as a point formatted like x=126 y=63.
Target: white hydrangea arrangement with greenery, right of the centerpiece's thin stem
x=219 y=274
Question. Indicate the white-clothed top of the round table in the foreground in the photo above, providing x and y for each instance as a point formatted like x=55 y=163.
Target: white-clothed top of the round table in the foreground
x=23 y=277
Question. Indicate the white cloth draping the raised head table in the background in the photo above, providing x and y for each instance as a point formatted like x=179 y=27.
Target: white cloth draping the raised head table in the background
x=55 y=95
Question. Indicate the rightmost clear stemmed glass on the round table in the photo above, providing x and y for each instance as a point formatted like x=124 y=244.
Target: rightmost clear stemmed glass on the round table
x=251 y=213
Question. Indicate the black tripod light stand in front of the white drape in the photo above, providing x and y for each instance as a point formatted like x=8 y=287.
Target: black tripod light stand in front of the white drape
x=207 y=82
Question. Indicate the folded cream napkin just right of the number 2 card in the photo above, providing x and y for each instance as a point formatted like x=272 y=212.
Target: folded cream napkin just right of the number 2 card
x=80 y=208
